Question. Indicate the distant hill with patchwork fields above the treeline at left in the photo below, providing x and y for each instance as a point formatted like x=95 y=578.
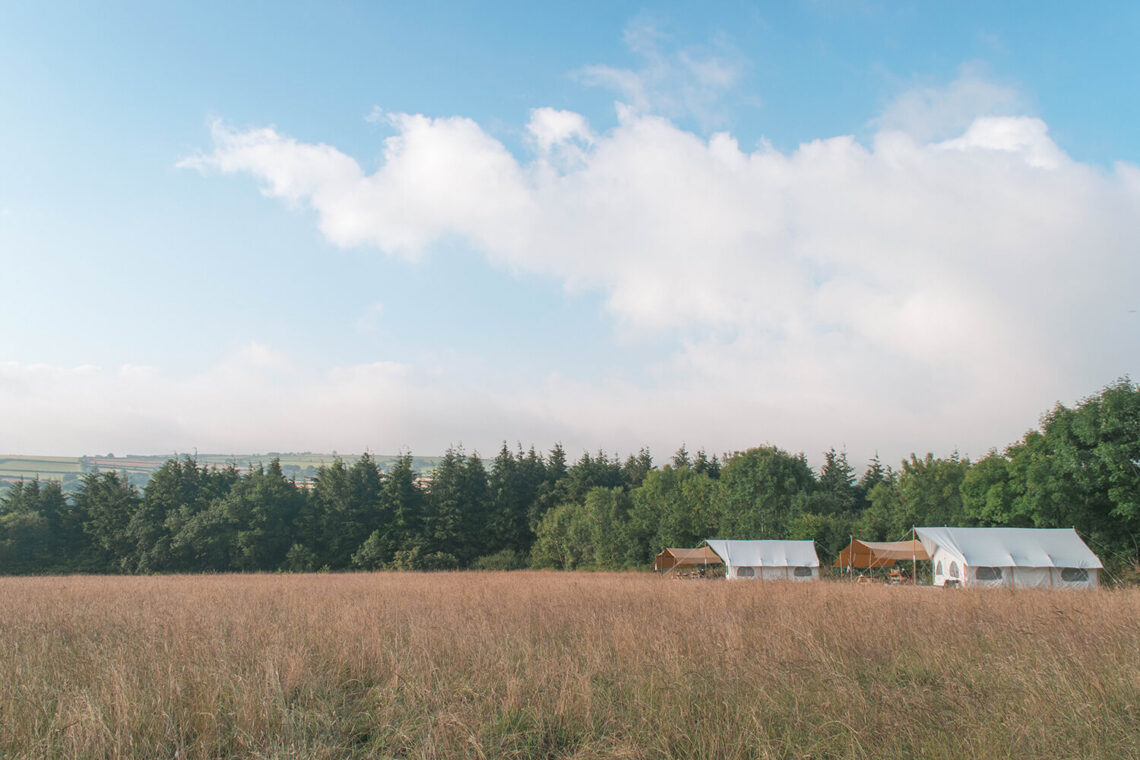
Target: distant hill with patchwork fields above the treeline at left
x=140 y=469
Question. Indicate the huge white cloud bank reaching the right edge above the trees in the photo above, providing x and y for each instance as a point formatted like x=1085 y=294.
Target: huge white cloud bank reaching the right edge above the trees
x=909 y=293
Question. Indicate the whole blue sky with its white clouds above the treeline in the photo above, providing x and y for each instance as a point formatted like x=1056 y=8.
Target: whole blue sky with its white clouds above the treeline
x=882 y=227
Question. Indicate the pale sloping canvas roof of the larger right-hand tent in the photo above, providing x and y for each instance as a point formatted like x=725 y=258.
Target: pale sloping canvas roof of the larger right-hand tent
x=1012 y=547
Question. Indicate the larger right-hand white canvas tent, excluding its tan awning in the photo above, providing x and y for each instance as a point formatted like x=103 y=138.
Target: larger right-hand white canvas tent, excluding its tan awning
x=1011 y=558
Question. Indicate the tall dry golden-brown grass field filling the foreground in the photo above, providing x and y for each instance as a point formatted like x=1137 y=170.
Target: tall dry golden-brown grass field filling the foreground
x=560 y=666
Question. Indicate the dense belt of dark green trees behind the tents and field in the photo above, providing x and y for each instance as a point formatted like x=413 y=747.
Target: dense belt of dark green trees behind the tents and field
x=1081 y=469
